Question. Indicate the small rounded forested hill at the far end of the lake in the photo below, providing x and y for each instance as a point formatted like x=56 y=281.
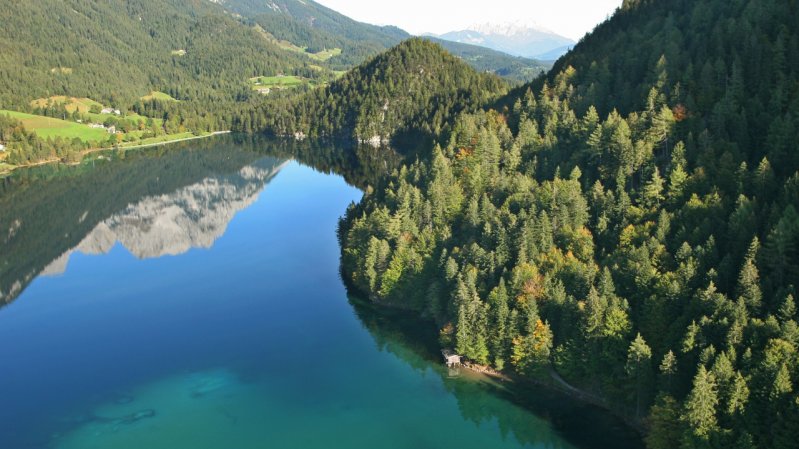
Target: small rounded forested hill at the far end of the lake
x=416 y=87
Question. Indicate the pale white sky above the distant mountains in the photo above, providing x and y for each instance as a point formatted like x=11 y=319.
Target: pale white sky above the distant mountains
x=570 y=18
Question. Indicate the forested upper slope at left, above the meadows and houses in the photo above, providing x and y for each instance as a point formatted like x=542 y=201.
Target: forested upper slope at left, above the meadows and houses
x=117 y=51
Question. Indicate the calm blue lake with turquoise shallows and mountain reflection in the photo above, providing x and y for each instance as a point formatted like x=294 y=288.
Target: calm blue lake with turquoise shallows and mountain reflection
x=190 y=297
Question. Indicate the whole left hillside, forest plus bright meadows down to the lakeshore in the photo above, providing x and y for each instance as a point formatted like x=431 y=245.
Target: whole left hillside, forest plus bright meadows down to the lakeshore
x=115 y=53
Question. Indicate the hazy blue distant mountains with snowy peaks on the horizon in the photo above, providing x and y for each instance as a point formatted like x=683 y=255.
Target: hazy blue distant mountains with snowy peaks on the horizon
x=517 y=39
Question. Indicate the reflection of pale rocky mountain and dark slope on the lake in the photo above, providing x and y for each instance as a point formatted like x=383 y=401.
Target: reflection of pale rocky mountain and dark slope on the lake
x=155 y=202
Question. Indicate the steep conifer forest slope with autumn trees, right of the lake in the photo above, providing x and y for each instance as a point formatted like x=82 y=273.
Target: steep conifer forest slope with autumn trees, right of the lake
x=631 y=222
